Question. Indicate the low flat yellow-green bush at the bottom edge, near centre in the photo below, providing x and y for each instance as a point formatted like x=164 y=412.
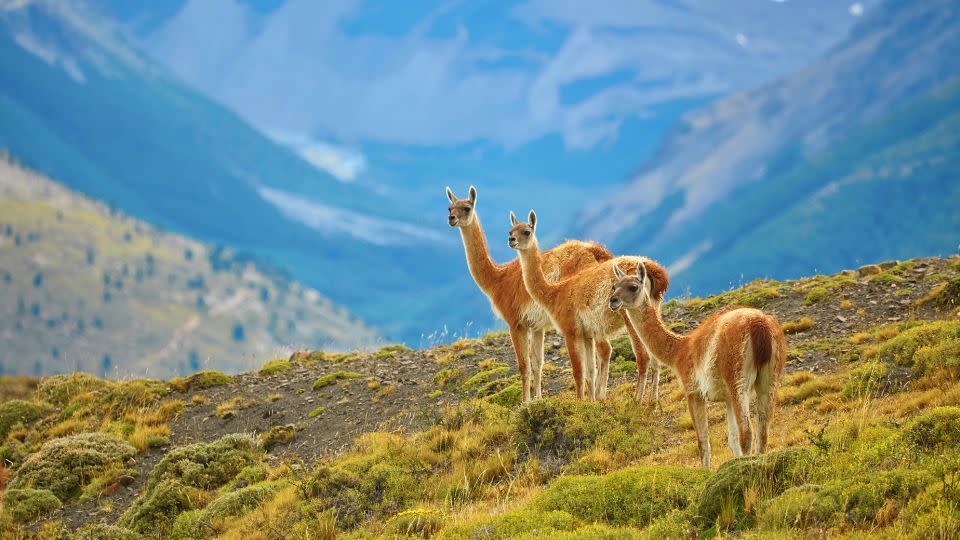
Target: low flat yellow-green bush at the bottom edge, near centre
x=512 y=525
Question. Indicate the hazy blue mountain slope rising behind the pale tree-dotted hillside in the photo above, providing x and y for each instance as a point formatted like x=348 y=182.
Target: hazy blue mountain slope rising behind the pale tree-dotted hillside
x=82 y=105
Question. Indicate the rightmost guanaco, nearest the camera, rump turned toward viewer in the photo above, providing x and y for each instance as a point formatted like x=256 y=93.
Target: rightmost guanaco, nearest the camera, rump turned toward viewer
x=736 y=356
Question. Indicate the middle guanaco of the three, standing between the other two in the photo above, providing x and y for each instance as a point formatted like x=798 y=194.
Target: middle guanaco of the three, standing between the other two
x=578 y=306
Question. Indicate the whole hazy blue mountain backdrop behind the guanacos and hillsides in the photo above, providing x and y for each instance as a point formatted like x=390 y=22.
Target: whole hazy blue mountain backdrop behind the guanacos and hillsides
x=730 y=140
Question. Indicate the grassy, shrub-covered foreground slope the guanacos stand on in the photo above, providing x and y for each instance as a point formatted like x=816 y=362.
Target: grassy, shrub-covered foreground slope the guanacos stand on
x=433 y=443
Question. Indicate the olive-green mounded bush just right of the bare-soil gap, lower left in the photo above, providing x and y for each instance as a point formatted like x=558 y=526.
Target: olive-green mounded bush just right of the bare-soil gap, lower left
x=207 y=465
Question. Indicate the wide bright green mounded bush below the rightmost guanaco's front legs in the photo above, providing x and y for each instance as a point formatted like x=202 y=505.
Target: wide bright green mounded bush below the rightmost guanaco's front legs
x=633 y=496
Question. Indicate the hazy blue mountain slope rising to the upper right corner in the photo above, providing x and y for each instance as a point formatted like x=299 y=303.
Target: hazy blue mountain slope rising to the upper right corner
x=850 y=159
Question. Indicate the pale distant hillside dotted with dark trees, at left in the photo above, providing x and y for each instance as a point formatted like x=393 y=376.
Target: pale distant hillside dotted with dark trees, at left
x=85 y=288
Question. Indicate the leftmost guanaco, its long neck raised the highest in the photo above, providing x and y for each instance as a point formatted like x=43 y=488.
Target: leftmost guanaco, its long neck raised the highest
x=503 y=285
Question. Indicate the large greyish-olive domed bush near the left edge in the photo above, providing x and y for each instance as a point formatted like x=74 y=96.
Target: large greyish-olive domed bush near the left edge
x=65 y=465
